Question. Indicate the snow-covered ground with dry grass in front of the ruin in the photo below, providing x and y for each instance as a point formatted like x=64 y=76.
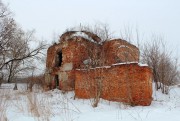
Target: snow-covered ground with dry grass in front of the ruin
x=22 y=105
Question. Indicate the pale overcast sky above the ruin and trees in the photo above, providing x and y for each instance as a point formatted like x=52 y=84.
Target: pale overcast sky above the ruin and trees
x=54 y=16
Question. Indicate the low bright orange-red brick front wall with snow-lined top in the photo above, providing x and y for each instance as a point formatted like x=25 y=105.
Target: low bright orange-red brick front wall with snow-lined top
x=130 y=83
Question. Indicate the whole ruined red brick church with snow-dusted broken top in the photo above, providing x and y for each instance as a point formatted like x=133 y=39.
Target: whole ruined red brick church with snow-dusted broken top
x=110 y=69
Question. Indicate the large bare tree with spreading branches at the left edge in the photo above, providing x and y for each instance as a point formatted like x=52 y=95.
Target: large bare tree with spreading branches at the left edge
x=15 y=46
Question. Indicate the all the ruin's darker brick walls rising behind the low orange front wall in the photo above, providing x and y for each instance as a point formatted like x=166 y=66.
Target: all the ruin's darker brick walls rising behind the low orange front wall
x=77 y=49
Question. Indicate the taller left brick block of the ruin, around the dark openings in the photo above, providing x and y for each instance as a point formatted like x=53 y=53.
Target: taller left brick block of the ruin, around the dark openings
x=74 y=51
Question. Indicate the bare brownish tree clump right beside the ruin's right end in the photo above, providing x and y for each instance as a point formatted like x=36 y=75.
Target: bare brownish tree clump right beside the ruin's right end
x=164 y=66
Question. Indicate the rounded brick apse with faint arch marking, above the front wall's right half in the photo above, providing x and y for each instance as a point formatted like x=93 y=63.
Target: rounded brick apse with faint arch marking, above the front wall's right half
x=118 y=51
